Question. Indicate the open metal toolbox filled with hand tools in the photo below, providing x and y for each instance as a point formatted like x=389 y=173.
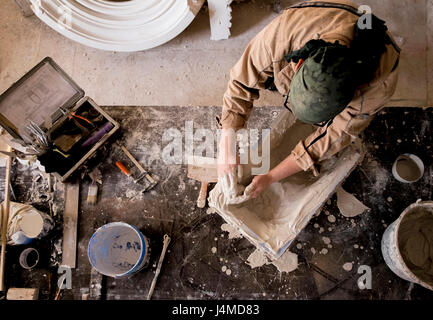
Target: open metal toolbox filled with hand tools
x=48 y=99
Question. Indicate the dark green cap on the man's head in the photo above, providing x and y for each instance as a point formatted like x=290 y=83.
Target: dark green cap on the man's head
x=324 y=84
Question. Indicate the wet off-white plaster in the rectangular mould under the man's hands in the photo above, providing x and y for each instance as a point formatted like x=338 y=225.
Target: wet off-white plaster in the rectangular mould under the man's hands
x=272 y=220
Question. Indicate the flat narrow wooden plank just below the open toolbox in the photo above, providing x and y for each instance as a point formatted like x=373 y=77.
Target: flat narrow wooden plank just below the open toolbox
x=70 y=224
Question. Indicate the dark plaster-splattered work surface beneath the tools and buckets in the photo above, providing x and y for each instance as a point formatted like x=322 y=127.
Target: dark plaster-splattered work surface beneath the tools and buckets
x=191 y=270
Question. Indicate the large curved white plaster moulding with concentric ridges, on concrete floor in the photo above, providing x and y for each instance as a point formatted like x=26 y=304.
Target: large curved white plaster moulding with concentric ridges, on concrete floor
x=127 y=26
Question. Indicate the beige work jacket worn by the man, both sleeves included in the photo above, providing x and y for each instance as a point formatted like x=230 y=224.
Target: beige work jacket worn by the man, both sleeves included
x=264 y=58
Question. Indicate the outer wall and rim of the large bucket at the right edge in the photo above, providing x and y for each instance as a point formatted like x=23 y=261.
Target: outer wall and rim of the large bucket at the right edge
x=391 y=249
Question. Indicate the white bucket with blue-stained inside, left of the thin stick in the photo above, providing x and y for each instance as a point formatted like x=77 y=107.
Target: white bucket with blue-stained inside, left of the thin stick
x=118 y=250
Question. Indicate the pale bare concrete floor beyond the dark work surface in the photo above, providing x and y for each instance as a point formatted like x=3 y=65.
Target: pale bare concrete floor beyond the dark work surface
x=193 y=70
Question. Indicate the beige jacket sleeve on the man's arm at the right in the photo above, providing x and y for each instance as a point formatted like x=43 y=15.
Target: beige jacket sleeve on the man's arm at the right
x=350 y=122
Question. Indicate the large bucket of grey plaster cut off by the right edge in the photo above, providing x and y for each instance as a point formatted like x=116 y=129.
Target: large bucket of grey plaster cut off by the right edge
x=394 y=243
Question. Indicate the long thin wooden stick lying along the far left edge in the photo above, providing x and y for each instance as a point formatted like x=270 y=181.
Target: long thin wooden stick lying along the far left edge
x=5 y=221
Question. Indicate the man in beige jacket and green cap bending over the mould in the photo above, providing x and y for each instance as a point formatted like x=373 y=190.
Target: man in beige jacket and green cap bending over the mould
x=334 y=72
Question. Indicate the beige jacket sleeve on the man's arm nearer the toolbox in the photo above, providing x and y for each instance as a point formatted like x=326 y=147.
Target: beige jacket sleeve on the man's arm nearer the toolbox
x=247 y=77
